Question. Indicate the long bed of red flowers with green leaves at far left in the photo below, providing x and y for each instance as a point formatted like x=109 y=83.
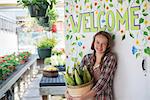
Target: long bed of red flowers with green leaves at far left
x=8 y=63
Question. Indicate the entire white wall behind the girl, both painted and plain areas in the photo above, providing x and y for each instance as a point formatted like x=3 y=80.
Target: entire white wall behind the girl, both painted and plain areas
x=131 y=82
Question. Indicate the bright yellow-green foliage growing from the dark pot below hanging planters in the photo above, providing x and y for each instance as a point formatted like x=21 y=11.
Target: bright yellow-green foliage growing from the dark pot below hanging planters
x=46 y=43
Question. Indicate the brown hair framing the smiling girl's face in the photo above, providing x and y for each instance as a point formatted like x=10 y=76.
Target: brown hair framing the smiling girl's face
x=109 y=38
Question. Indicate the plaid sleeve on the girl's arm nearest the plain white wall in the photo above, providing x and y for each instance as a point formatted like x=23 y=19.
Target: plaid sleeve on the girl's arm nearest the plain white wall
x=109 y=67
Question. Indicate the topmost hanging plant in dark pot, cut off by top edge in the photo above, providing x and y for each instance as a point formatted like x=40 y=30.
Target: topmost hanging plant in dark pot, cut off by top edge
x=37 y=7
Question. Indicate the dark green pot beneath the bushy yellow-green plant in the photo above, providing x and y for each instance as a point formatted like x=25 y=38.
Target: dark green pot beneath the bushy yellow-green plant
x=44 y=52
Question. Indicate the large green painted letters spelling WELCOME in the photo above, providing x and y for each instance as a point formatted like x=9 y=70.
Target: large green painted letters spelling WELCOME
x=112 y=20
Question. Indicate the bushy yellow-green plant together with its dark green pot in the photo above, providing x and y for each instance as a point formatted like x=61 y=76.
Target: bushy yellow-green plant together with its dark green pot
x=44 y=47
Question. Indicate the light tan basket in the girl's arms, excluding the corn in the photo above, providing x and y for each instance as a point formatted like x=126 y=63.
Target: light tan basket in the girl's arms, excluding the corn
x=79 y=90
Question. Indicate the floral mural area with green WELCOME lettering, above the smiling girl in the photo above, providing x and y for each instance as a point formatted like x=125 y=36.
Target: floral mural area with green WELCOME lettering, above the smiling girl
x=122 y=18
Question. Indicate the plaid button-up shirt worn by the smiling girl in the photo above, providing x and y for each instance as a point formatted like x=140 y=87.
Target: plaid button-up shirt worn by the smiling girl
x=103 y=75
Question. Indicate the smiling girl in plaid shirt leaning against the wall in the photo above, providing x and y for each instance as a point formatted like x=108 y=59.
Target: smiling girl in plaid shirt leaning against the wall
x=102 y=66
